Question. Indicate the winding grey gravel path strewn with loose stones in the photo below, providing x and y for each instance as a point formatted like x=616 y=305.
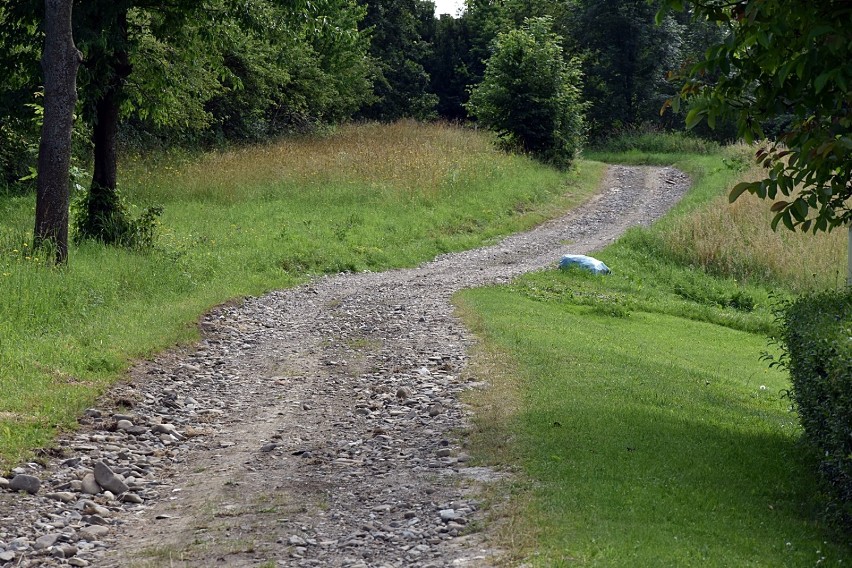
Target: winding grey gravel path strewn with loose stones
x=311 y=427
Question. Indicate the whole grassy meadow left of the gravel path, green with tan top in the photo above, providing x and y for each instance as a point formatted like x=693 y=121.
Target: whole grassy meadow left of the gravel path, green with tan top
x=241 y=222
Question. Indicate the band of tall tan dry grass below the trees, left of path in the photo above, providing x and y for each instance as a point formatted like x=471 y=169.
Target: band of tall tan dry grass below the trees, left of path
x=399 y=158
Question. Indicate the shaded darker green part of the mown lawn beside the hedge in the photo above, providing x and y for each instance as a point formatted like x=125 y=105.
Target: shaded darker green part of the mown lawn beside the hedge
x=683 y=489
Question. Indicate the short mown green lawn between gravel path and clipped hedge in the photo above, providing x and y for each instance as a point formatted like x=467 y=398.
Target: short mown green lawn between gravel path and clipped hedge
x=646 y=440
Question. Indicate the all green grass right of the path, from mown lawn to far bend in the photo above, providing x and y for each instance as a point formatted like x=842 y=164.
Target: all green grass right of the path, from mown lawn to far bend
x=649 y=431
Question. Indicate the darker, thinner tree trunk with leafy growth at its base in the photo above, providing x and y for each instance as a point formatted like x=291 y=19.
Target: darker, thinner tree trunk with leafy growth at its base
x=104 y=218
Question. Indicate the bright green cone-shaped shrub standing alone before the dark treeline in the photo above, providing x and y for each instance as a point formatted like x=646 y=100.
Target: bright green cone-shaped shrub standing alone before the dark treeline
x=530 y=94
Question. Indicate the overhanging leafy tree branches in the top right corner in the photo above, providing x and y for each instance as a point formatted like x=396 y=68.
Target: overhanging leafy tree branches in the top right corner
x=790 y=59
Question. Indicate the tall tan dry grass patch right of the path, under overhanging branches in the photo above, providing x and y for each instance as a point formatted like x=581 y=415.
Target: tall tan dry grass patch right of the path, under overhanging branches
x=736 y=239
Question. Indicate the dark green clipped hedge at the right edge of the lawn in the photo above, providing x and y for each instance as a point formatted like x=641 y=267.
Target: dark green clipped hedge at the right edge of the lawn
x=816 y=337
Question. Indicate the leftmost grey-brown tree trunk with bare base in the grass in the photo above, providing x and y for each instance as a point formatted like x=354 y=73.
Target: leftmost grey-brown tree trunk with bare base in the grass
x=59 y=62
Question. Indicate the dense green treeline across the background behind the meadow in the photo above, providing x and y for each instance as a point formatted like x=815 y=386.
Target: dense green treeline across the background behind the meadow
x=222 y=70
